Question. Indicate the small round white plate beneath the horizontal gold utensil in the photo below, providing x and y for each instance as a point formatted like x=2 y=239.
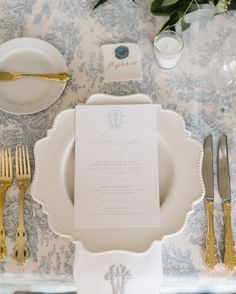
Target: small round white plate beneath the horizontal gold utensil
x=29 y=55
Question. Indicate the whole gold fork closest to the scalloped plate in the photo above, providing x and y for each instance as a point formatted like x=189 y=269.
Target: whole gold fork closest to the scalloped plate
x=23 y=180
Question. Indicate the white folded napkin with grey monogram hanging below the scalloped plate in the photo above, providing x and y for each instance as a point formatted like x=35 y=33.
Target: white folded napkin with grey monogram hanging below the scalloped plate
x=118 y=272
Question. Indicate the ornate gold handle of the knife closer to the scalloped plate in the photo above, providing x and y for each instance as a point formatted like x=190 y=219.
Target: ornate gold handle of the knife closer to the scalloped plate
x=211 y=257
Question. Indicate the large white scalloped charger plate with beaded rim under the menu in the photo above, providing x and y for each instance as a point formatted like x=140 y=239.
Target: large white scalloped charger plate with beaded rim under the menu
x=180 y=180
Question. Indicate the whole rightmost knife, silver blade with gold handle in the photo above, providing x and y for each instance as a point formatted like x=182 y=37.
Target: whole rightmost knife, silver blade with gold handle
x=225 y=193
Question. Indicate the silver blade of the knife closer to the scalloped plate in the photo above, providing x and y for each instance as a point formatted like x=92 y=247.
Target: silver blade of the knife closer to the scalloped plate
x=207 y=168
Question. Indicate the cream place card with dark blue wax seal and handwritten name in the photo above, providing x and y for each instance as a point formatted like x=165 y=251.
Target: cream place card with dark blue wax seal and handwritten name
x=122 y=62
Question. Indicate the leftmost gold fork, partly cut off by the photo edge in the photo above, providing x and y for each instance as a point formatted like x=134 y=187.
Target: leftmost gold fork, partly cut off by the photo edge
x=5 y=182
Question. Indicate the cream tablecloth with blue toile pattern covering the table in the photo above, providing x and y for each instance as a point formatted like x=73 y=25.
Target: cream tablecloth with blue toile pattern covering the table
x=78 y=33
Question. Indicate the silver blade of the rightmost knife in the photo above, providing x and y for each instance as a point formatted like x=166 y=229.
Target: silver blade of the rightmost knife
x=223 y=170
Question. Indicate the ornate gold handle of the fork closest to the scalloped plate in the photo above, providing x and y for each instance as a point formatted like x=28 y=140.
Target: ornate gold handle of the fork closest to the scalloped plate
x=21 y=251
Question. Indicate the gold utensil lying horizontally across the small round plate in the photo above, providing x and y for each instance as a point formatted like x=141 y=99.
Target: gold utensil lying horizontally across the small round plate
x=12 y=76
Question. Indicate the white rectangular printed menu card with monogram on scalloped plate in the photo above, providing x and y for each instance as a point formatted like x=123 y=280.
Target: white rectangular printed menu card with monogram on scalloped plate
x=116 y=166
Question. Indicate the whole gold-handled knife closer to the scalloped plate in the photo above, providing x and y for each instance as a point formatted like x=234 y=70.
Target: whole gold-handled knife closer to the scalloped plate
x=211 y=257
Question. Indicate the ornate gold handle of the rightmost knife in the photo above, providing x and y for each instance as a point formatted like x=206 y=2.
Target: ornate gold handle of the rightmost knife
x=229 y=254
